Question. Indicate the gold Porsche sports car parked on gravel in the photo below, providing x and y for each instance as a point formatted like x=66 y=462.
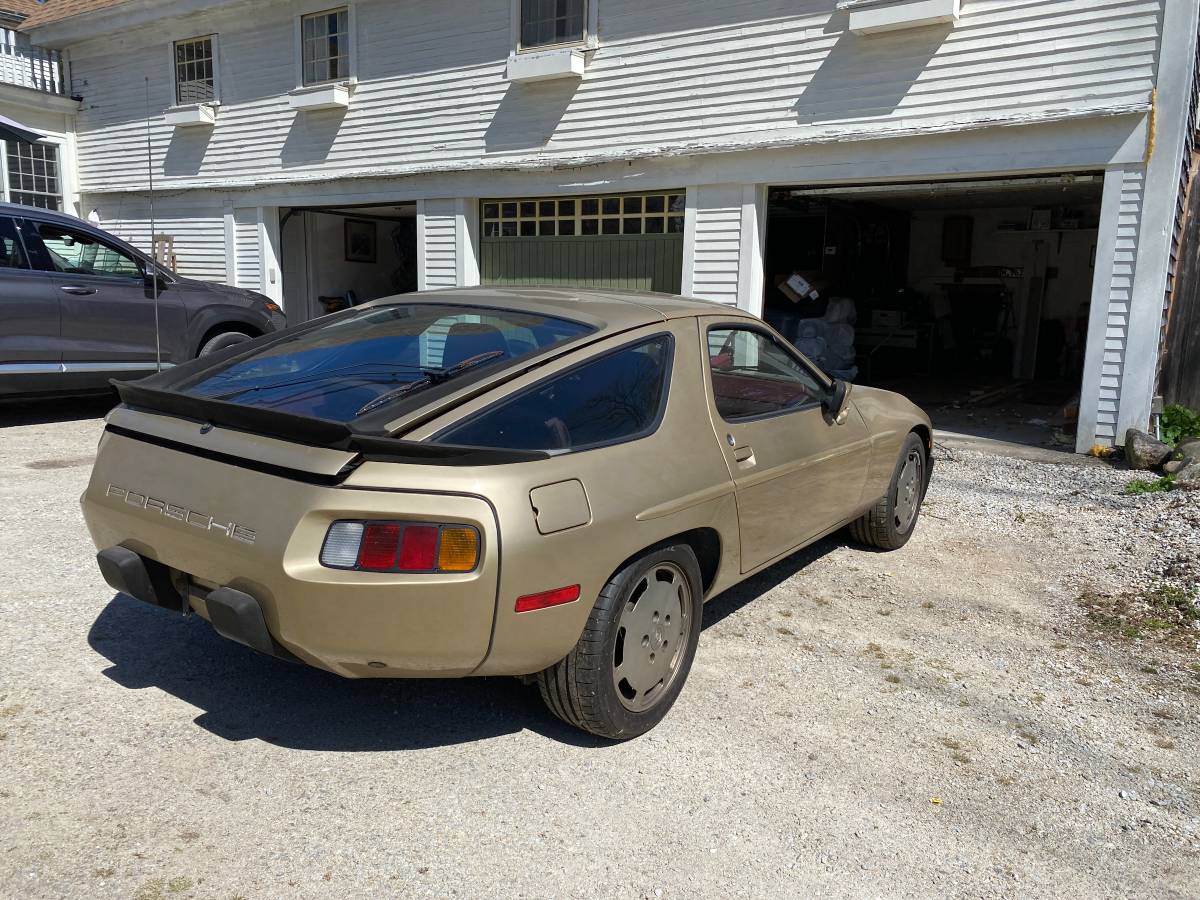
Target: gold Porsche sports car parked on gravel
x=488 y=482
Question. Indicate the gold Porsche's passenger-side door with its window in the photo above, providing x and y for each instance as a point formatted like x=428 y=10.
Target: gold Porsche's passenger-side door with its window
x=796 y=473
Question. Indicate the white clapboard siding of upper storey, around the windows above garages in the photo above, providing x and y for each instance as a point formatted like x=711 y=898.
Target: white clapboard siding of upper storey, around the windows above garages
x=669 y=75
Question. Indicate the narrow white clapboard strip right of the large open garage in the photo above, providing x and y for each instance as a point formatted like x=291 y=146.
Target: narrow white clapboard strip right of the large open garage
x=1125 y=261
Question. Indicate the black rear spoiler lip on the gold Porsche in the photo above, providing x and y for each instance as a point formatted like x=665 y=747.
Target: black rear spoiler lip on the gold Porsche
x=313 y=431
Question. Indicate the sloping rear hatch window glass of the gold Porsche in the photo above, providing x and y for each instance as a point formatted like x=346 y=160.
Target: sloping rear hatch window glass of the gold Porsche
x=375 y=356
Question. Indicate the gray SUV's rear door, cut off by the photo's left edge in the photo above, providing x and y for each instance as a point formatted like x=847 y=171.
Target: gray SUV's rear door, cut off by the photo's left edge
x=31 y=353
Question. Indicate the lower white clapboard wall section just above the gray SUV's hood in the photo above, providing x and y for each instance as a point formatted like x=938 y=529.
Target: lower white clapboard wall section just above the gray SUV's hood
x=199 y=233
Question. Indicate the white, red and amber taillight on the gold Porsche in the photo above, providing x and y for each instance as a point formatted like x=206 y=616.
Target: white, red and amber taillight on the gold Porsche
x=401 y=548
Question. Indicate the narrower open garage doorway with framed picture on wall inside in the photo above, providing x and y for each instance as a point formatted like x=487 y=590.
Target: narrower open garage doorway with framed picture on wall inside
x=338 y=257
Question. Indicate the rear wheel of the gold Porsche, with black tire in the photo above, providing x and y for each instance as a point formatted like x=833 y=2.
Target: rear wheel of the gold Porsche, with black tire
x=583 y=688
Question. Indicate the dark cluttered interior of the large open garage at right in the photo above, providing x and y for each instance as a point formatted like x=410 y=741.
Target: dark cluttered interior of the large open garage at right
x=971 y=298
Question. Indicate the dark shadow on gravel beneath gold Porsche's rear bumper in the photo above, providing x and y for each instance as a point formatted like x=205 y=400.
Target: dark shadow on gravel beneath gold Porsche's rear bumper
x=247 y=697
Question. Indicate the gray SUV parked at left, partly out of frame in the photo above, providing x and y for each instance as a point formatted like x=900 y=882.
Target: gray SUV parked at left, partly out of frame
x=77 y=308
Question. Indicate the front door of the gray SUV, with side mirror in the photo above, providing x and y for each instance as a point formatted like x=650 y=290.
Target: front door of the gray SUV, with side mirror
x=109 y=323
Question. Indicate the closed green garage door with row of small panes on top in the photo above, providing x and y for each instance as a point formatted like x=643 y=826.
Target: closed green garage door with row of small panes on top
x=632 y=242
